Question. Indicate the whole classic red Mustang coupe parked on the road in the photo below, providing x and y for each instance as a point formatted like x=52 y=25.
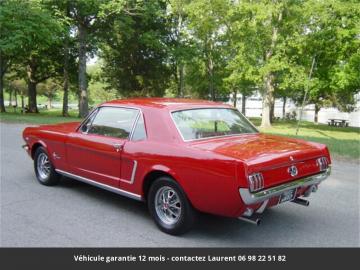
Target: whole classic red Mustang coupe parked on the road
x=179 y=156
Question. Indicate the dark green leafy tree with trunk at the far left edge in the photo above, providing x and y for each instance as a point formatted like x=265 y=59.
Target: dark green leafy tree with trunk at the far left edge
x=28 y=38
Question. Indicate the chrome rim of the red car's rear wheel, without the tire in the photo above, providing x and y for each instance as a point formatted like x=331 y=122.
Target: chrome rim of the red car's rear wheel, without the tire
x=168 y=205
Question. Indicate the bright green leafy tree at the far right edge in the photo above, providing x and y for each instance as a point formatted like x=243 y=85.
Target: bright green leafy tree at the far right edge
x=331 y=36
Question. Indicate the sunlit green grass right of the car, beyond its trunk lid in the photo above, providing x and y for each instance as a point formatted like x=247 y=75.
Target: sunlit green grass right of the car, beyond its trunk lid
x=343 y=142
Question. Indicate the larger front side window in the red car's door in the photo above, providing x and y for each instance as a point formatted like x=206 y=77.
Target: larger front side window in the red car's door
x=113 y=122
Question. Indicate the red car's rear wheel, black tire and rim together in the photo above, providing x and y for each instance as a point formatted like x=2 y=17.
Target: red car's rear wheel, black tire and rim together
x=170 y=216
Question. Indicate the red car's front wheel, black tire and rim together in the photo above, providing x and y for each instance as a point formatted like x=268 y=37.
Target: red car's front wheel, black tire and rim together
x=44 y=170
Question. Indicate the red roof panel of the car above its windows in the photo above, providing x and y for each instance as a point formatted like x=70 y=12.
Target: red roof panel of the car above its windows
x=169 y=103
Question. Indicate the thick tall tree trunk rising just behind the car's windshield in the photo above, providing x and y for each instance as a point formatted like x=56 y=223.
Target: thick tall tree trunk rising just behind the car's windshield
x=83 y=102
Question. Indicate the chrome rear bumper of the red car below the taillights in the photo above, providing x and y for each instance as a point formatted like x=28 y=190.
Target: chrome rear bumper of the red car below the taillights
x=263 y=195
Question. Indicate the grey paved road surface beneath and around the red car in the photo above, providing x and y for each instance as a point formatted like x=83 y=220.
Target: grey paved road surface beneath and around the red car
x=74 y=214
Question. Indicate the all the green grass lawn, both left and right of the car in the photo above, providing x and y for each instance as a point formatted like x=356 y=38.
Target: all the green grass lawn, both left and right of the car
x=342 y=142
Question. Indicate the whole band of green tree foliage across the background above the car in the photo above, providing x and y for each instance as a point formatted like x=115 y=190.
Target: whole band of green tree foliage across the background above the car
x=199 y=48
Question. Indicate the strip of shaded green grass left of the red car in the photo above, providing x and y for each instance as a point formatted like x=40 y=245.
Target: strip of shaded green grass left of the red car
x=44 y=117
